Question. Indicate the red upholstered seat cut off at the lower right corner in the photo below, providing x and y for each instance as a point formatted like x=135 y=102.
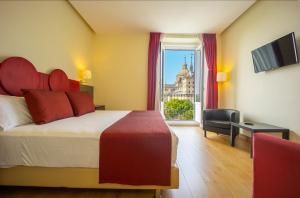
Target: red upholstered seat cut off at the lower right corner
x=276 y=167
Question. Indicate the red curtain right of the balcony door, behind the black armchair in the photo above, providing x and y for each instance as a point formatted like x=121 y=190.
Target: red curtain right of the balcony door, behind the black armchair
x=210 y=49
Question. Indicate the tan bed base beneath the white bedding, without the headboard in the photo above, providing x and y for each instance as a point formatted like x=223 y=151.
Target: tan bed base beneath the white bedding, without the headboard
x=70 y=178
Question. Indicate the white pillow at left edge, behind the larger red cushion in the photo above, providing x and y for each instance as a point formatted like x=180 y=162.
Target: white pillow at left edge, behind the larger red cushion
x=13 y=112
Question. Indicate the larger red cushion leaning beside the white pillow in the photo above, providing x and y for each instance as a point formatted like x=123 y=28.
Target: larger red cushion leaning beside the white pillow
x=46 y=106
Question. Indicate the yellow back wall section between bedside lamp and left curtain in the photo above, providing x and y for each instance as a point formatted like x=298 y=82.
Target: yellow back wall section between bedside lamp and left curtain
x=120 y=70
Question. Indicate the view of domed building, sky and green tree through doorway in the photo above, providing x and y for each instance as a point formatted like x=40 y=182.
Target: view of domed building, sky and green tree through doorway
x=179 y=86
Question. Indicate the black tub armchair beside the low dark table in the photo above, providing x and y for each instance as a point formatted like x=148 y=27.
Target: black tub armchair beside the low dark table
x=219 y=121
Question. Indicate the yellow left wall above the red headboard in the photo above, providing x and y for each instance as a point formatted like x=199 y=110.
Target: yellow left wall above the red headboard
x=48 y=33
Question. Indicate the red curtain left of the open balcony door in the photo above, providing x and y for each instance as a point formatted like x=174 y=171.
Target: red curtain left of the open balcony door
x=153 y=51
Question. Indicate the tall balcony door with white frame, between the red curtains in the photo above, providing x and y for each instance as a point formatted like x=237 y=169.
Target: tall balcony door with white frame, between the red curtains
x=181 y=83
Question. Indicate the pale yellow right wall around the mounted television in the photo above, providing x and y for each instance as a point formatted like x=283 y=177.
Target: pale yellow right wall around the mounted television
x=272 y=97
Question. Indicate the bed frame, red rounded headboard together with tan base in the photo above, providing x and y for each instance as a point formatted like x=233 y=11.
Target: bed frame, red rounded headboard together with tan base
x=23 y=75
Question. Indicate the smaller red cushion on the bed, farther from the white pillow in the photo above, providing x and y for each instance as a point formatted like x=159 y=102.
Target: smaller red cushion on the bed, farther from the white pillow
x=81 y=102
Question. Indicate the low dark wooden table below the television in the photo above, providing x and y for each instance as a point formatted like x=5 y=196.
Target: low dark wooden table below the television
x=254 y=127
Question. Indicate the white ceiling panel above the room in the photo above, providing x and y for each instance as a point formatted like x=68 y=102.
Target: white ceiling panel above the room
x=161 y=16
